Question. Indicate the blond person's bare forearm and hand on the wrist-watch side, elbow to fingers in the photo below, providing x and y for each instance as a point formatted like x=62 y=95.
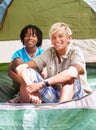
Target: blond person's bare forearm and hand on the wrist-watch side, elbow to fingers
x=65 y=77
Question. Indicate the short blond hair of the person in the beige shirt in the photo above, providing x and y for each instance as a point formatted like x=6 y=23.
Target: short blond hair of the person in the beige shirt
x=60 y=26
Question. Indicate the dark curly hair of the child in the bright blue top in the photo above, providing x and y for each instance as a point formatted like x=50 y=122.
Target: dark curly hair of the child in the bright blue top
x=35 y=30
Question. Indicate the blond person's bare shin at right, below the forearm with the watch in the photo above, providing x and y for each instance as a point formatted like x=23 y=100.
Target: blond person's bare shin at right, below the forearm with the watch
x=66 y=93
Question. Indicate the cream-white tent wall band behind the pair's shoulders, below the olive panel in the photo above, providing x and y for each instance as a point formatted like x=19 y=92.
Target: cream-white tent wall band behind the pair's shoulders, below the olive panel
x=87 y=46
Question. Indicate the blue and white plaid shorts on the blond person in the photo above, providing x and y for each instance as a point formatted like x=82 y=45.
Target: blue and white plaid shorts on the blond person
x=50 y=94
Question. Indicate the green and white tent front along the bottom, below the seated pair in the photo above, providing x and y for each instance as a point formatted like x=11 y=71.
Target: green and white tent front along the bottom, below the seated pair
x=73 y=115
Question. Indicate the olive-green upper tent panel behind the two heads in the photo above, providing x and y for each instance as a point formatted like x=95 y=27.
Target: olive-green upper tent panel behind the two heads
x=76 y=13
